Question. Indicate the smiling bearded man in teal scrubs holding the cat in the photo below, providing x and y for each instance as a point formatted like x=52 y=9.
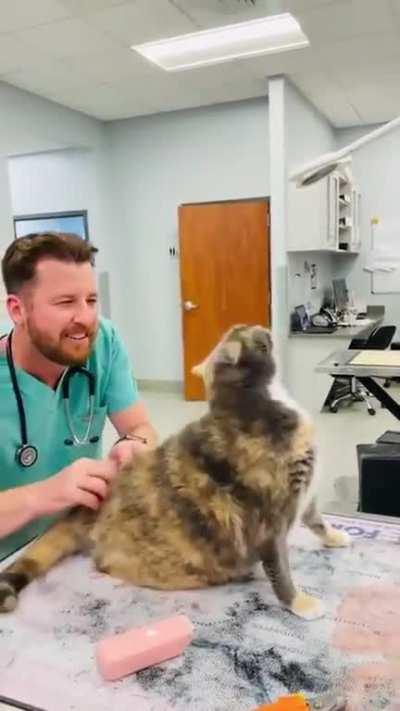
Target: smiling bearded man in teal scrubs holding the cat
x=52 y=303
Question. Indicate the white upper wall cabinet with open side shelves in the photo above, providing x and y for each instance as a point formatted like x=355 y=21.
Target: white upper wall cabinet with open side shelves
x=324 y=216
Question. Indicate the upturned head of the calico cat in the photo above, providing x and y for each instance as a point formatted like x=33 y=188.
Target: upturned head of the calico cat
x=242 y=359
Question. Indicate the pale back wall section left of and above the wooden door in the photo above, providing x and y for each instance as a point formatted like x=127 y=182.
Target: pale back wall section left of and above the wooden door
x=157 y=163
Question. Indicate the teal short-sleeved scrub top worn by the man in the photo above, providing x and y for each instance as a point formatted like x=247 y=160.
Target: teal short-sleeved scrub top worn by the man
x=47 y=424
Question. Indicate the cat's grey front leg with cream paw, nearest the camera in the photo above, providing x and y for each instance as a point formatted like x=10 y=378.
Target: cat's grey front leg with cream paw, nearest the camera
x=275 y=559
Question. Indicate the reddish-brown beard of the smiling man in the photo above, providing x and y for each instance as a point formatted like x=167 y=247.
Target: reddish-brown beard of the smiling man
x=63 y=350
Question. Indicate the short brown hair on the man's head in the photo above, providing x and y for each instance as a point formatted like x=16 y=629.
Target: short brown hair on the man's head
x=22 y=256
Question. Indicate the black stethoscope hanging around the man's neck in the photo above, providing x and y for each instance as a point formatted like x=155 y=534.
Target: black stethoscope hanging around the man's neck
x=27 y=454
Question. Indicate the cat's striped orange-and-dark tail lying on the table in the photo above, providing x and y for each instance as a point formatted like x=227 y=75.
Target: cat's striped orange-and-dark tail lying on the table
x=67 y=536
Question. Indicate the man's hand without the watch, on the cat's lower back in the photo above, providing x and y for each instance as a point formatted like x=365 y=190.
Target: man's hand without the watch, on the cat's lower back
x=86 y=482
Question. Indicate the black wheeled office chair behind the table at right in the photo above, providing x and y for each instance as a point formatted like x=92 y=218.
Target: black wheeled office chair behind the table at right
x=378 y=340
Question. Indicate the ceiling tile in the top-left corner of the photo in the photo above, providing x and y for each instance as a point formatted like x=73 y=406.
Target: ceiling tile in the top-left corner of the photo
x=21 y=14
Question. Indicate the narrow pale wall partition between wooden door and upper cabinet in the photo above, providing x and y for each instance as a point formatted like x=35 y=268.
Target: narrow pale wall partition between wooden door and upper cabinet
x=302 y=134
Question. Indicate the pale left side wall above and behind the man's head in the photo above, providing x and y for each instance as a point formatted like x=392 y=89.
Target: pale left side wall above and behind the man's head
x=44 y=178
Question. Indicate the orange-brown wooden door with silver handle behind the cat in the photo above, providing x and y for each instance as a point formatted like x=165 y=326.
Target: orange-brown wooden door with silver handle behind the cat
x=225 y=275
